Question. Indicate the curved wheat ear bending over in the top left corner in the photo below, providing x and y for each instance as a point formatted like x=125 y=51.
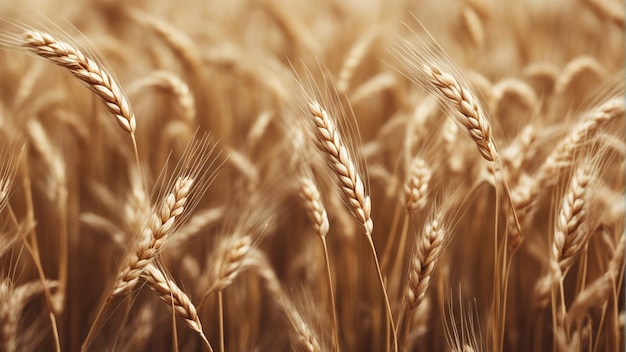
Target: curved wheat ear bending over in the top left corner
x=87 y=70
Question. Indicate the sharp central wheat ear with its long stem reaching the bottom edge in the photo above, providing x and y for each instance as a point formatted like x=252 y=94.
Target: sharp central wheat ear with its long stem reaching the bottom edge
x=350 y=183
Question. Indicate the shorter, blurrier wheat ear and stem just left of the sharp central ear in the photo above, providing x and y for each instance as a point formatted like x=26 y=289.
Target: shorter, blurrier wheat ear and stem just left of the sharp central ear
x=318 y=215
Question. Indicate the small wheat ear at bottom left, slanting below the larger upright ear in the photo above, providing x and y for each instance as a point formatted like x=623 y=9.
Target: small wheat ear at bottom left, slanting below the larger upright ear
x=173 y=296
